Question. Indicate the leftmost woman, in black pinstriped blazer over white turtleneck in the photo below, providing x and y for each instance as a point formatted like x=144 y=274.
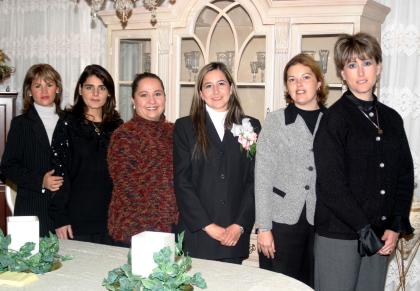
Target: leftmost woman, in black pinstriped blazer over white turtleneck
x=29 y=157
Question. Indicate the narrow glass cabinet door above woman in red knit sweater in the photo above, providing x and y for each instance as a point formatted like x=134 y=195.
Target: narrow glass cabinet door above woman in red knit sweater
x=134 y=58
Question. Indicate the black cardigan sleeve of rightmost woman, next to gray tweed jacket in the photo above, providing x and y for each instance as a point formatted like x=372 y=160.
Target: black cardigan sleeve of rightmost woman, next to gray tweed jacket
x=332 y=180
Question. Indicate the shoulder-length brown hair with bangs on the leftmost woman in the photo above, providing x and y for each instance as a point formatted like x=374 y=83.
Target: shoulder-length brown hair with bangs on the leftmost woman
x=44 y=72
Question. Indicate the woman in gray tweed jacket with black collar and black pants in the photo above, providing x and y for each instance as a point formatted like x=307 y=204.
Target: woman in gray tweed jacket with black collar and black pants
x=285 y=172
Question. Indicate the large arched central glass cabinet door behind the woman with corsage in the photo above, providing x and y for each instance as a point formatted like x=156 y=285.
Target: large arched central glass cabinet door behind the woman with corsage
x=224 y=32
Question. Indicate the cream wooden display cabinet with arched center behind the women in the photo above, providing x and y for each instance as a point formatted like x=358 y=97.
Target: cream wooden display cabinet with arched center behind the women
x=278 y=28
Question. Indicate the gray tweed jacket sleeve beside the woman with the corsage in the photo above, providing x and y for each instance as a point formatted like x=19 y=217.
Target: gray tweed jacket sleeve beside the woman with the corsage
x=263 y=175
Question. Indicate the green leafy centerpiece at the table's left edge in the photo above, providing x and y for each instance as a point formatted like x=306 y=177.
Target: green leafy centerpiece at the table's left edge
x=46 y=260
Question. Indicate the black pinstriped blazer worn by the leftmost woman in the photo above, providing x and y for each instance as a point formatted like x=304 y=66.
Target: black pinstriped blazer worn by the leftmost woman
x=26 y=159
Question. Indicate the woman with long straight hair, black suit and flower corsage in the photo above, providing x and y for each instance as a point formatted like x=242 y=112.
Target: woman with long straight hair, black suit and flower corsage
x=214 y=177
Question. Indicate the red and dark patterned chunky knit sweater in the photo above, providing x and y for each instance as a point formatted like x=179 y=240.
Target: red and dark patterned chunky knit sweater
x=140 y=164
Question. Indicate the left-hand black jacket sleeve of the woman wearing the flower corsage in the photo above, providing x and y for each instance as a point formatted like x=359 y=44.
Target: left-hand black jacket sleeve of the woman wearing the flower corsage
x=192 y=212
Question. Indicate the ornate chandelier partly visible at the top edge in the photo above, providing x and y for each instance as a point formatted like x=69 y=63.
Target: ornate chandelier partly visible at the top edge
x=124 y=8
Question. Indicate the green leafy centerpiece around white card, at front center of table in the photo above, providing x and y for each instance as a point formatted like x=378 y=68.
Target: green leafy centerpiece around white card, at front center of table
x=167 y=276
